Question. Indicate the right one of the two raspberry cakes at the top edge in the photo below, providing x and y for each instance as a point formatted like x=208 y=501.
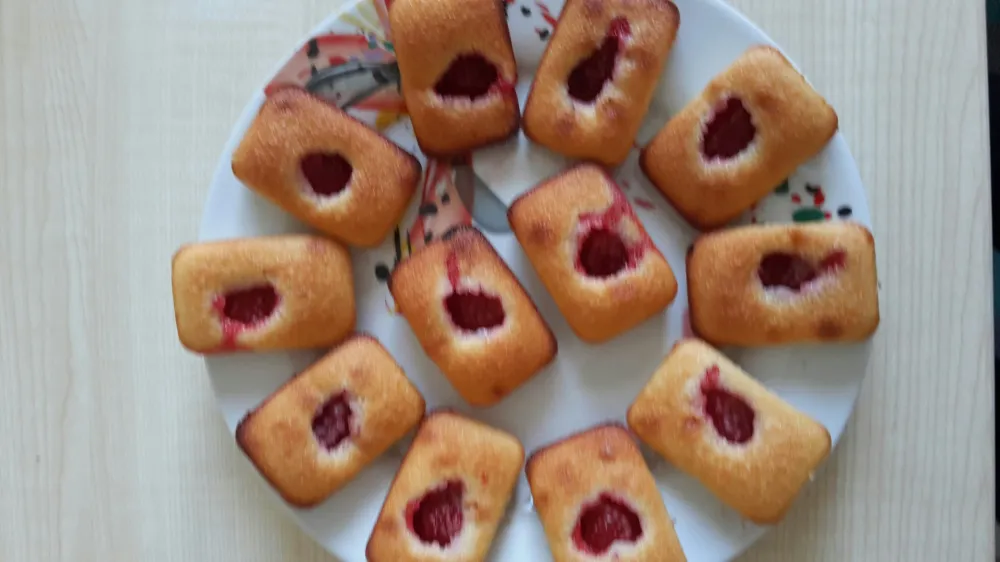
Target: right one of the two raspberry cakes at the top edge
x=597 y=76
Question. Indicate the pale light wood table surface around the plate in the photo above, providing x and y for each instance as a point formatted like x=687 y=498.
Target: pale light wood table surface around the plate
x=112 y=114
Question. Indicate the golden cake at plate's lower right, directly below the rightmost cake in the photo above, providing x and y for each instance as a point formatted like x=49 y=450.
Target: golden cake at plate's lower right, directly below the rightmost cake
x=713 y=421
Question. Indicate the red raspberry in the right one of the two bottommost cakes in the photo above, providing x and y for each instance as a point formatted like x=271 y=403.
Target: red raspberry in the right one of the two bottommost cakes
x=603 y=522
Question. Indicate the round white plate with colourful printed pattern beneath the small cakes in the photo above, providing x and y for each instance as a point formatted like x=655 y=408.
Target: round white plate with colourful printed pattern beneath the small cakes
x=347 y=59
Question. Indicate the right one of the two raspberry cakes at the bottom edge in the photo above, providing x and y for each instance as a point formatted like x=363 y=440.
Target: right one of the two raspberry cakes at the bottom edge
x=598 y=501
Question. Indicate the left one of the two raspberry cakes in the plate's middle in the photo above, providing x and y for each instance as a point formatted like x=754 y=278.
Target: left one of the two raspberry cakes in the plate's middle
x=472 y=316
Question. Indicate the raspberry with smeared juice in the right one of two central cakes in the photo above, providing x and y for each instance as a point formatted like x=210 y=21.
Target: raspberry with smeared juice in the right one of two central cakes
x=603 y=252
